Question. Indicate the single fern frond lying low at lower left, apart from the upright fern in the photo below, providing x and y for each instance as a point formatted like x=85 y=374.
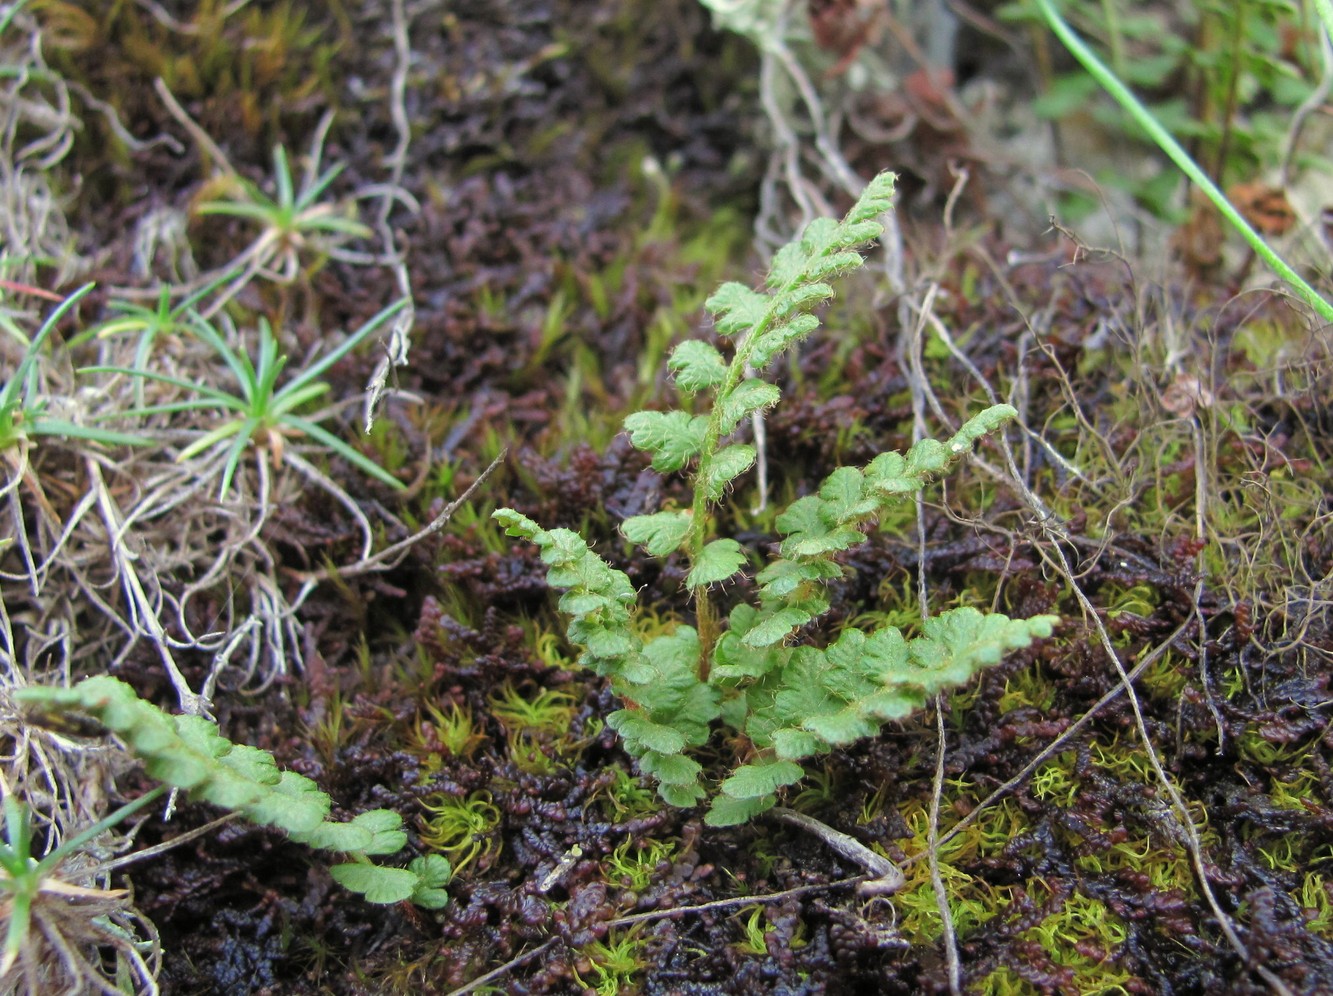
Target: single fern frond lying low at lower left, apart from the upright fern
x=187 y=753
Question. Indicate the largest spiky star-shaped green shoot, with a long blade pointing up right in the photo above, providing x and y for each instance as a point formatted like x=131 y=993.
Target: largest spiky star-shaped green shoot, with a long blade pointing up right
x=265 y=414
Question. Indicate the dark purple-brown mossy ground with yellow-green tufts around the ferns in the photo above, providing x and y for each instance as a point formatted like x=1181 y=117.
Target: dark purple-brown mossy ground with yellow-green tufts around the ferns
x=551 y=275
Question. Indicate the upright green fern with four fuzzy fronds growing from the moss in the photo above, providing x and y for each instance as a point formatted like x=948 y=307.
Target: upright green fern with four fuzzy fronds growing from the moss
x=790 y=702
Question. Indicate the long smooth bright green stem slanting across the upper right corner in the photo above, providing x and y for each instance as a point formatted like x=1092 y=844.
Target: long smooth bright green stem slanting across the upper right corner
x=1180 y=158
